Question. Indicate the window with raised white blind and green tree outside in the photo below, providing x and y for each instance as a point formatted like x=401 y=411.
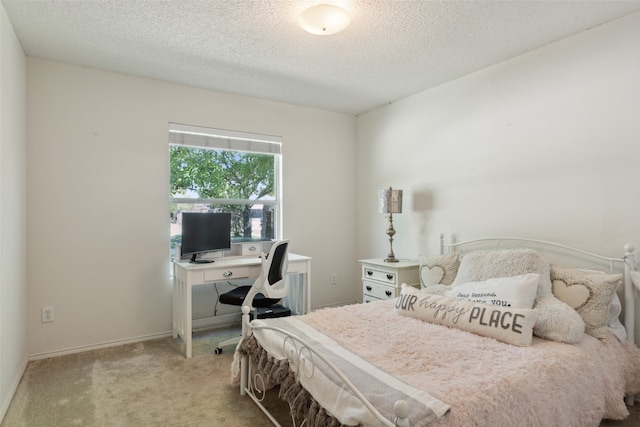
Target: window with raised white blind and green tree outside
x=214 y=170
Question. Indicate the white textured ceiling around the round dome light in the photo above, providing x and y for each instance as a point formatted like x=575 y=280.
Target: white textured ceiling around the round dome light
x=392 y=49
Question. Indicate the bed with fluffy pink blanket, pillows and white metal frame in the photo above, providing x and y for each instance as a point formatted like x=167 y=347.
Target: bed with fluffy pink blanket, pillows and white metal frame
x=502 y=331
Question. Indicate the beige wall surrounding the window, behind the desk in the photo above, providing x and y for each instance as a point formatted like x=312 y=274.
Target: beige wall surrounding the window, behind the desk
x=98 y=198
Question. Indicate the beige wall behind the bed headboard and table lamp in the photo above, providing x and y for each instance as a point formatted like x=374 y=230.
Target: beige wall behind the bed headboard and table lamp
x=546 y=145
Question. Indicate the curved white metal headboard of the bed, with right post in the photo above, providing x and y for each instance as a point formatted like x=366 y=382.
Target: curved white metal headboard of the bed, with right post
x=627 y=263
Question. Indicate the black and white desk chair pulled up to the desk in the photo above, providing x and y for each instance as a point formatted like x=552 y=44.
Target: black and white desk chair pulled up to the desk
x=268 y=289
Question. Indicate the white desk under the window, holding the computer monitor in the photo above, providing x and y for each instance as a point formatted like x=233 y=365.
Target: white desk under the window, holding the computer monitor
x=186 y=275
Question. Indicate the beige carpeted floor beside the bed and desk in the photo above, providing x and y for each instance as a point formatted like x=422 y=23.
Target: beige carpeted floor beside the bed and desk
x=148 y=384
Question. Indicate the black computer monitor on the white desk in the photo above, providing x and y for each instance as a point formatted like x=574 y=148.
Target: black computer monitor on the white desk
x=205 y=232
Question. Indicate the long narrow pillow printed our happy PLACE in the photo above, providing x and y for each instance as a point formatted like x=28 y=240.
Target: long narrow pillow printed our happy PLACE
x=509 y=325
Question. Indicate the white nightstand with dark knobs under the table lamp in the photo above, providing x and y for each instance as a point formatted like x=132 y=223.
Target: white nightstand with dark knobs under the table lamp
x=381 y=280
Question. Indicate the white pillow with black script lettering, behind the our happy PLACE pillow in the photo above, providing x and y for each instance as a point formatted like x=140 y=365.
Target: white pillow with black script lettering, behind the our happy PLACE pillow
x=516 y=292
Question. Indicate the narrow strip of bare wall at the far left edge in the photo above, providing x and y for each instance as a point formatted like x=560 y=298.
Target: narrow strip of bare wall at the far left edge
x=13 y=205
